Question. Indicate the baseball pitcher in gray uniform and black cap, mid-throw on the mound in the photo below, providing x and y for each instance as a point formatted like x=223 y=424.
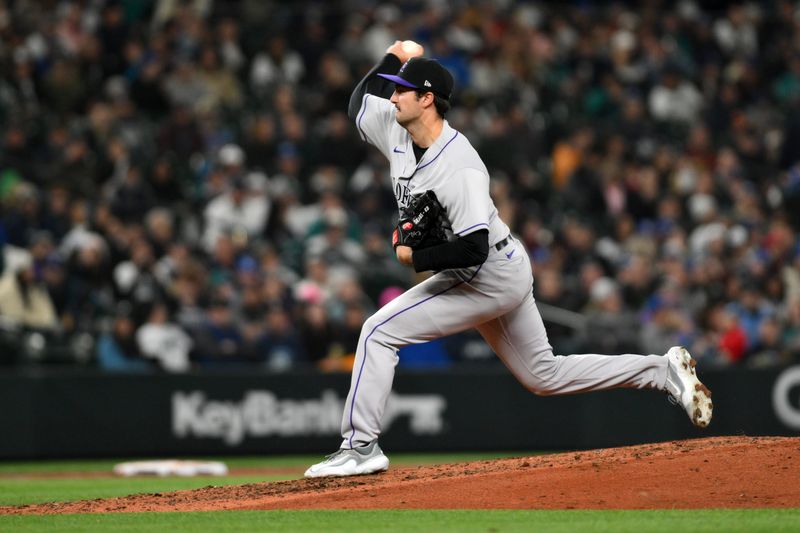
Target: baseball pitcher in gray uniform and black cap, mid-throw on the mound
x=449 y=224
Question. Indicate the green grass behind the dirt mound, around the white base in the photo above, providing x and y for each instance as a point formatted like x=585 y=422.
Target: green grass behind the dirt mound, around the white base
x=17 y=489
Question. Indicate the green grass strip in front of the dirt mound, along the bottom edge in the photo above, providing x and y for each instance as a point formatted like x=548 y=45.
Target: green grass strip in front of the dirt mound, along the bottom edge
x=755 y=520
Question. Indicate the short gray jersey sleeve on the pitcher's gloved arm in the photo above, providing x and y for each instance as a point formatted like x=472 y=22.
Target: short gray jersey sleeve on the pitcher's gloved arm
x=465 y=197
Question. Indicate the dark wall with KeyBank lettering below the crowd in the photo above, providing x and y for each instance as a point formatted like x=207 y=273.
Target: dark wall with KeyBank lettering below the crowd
x=88 y=414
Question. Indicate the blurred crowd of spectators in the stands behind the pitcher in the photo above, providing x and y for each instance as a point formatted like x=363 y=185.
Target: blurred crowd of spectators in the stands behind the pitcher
x=180 y=186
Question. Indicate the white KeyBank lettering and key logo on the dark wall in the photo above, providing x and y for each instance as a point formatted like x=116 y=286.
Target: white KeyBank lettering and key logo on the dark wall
x=261 y=413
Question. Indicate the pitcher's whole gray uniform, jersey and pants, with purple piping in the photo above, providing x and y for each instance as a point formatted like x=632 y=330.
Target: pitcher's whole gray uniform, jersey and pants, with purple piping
x=495 y=298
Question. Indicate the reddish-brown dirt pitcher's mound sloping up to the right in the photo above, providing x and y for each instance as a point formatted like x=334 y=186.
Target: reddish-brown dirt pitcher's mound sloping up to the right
x=715 y=472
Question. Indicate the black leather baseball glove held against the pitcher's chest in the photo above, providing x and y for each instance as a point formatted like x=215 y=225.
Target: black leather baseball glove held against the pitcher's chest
x=422 y=224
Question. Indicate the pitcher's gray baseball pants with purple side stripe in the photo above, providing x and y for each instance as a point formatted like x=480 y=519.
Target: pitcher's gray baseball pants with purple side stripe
x=495 y=298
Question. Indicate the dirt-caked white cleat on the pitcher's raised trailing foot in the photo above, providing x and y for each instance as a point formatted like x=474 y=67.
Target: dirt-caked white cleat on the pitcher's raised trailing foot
x=685 y=389
